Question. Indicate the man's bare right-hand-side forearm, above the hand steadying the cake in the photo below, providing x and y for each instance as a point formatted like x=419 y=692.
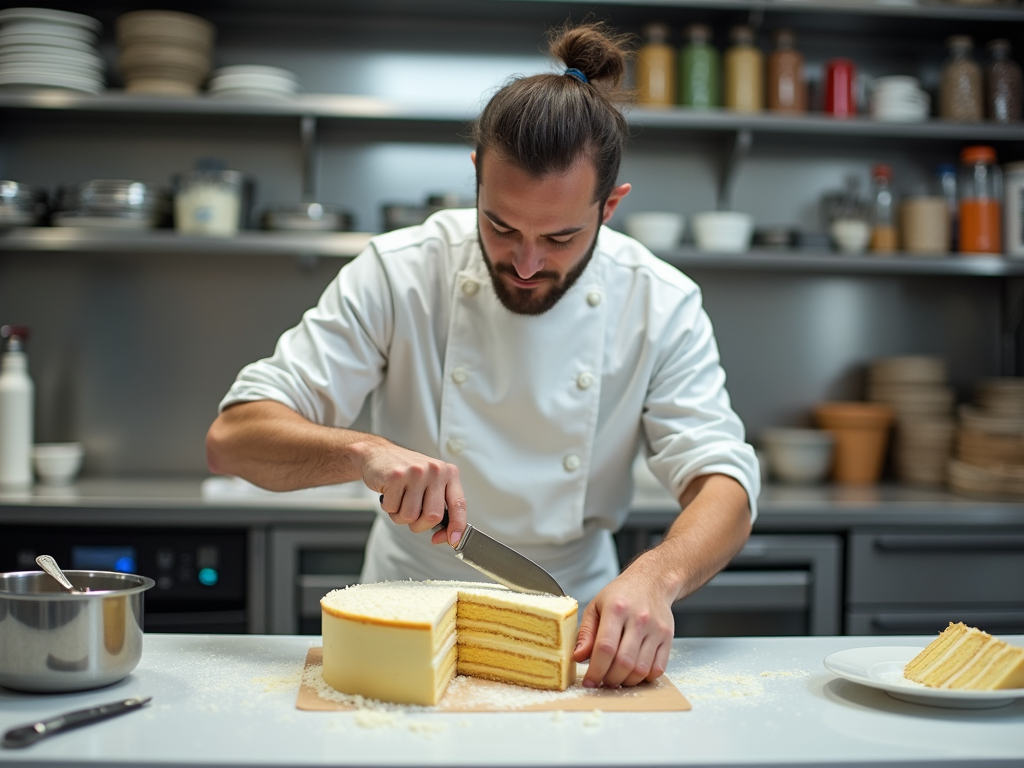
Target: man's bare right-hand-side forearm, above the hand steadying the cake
x=712 y=529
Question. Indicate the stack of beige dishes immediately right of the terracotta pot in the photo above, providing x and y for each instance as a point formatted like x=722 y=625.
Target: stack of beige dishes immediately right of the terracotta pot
x=916 y=389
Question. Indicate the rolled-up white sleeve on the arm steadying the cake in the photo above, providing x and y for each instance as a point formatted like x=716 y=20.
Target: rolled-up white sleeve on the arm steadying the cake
x=691 y=428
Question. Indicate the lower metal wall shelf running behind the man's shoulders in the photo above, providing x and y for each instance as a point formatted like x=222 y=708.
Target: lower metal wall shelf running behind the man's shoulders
x=349 y=245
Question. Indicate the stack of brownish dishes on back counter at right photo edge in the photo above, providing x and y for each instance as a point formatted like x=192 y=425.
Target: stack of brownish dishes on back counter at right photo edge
x=991 y=442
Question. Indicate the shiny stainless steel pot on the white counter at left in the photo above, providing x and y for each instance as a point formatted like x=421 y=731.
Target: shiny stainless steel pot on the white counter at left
x=52 y=641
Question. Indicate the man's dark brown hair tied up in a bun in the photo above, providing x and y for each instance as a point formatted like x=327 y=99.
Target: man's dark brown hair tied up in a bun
x=546 y=123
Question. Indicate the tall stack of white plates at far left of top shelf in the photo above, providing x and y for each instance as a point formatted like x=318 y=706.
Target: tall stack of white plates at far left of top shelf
x=44 y=49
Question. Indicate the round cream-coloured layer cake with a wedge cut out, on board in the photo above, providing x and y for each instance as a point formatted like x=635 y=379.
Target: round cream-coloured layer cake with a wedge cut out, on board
x=405 y=642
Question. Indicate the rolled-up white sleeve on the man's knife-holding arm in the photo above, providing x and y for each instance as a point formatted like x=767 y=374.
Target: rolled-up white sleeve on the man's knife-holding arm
x=325 y=367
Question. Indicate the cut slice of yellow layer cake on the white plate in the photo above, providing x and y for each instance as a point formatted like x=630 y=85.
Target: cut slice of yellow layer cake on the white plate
x=968 y=659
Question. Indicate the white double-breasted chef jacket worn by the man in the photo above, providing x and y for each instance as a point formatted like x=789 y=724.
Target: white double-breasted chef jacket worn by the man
x=542 y=414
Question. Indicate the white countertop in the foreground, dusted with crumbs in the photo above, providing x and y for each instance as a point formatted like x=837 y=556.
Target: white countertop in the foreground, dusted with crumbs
x=222 y=701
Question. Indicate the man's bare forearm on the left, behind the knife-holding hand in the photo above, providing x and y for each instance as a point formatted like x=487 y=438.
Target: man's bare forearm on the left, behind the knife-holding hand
x=275 y=448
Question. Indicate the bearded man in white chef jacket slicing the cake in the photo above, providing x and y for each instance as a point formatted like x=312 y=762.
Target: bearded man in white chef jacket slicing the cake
x=518 y=356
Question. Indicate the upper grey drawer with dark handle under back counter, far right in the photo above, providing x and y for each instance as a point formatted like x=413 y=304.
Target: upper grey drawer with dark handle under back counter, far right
x=886 y=568
